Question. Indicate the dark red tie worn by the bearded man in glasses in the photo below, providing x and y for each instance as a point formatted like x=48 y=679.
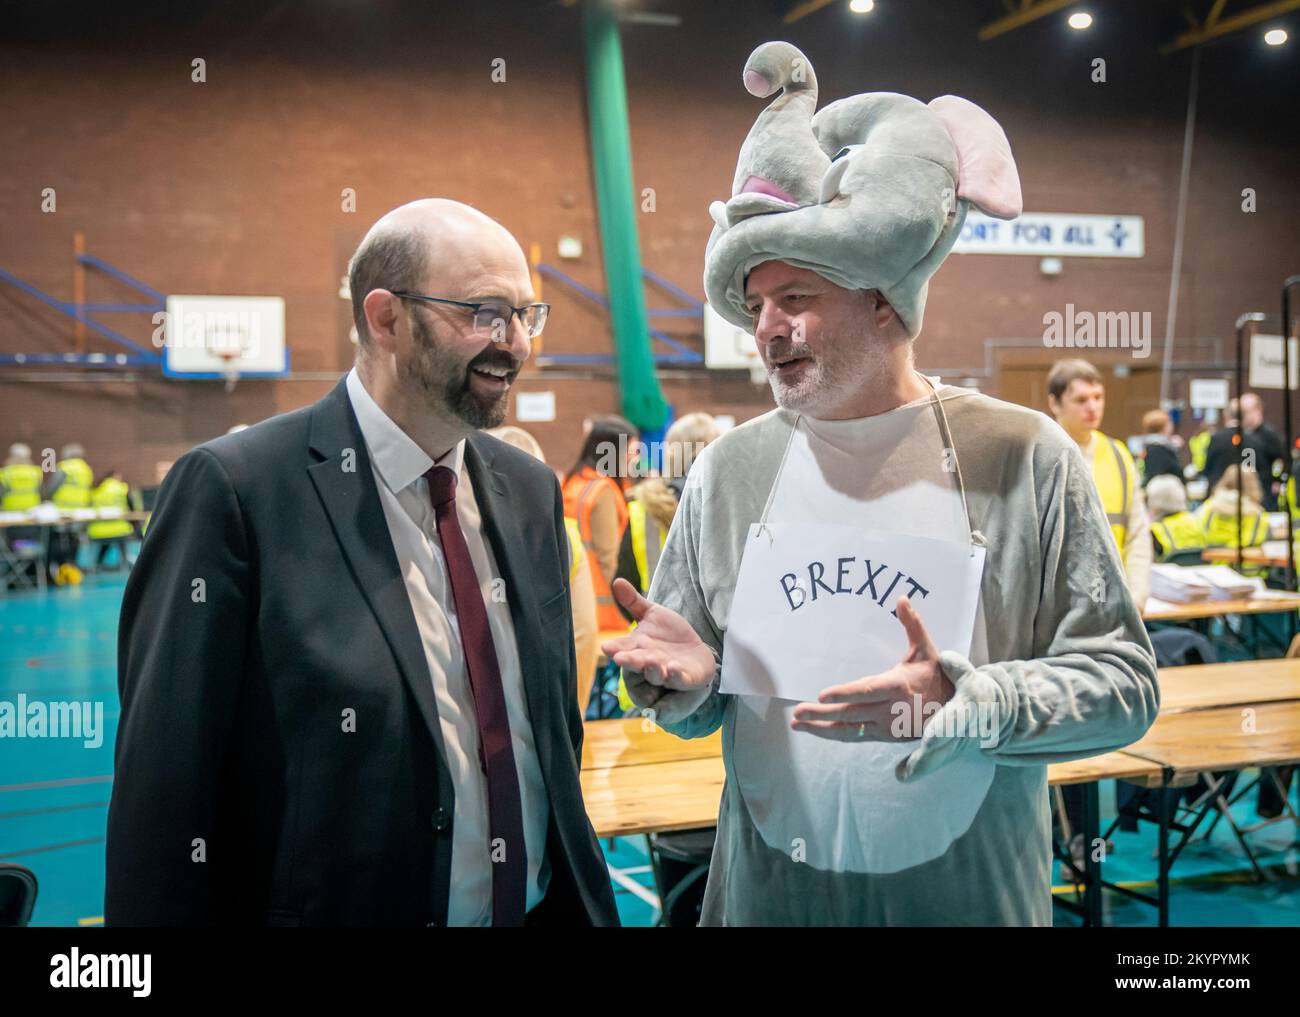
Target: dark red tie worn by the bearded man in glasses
x=505 y=811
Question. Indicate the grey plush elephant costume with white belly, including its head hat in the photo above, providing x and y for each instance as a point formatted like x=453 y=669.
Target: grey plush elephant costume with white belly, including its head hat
x=1068 y=674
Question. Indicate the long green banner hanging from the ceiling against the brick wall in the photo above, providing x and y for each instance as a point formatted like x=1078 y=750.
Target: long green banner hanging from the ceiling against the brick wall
x=612 y=159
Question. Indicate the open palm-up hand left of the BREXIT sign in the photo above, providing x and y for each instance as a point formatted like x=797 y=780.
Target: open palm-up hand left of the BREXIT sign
x=664 y=648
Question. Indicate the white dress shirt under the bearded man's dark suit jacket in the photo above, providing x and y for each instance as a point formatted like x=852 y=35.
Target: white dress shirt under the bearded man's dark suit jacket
x=400 y=466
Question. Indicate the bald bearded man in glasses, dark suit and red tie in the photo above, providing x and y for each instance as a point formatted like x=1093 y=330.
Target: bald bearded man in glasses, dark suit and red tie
x=346 y=659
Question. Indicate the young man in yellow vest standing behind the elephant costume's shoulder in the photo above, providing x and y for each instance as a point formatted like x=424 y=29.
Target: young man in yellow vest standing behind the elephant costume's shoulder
x=1078 y=400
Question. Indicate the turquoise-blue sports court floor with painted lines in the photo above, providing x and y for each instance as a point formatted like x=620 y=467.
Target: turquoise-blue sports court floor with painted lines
x=54 y=794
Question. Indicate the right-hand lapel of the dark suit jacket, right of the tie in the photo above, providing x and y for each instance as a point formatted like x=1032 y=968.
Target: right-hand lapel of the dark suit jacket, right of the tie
x=505 y=534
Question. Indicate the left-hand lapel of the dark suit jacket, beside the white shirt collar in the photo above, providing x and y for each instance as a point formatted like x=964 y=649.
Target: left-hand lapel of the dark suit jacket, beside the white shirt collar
x=345 y=484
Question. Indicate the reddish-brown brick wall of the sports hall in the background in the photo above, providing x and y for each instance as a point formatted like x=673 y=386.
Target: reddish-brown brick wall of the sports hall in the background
x=235 y=187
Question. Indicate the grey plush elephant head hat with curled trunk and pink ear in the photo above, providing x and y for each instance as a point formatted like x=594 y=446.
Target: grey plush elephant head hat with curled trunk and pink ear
x=870 y=193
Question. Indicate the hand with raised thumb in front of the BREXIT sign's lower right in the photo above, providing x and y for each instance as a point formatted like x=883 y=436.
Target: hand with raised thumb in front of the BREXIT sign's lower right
x=864 y=711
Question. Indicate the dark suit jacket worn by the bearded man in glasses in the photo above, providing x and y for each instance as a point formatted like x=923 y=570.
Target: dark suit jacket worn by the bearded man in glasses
x=265 y=608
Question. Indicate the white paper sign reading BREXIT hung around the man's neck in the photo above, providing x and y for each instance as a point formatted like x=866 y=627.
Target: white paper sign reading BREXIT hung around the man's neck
x=814 y=605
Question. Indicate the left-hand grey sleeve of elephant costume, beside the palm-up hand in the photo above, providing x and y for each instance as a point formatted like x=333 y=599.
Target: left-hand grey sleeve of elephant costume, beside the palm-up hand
x=677 y=586
